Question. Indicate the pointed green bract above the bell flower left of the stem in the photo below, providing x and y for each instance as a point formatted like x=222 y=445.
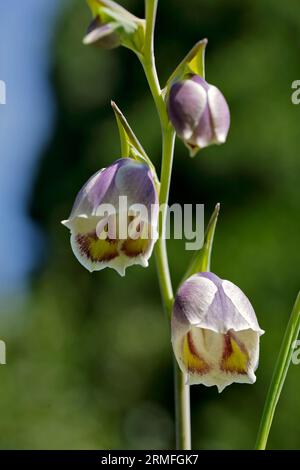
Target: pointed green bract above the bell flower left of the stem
x=130 y=145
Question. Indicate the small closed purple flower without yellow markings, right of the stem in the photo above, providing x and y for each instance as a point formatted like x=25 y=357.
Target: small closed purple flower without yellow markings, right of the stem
x=198 y=112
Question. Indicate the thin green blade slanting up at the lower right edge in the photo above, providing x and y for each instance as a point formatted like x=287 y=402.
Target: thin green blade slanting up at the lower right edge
x=279 y=375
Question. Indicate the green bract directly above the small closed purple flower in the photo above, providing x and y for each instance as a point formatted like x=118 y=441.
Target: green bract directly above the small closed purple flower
x=192 y=64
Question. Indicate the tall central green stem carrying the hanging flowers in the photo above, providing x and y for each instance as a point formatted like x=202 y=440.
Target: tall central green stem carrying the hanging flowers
x=182 y=395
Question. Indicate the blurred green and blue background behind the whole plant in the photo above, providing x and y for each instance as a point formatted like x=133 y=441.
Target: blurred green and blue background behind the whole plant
x=89 y=364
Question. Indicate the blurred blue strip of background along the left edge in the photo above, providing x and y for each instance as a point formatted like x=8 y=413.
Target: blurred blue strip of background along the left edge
x=26 y=123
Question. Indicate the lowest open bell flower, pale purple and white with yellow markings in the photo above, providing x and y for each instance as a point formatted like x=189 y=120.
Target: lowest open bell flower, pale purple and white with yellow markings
x=215 y=333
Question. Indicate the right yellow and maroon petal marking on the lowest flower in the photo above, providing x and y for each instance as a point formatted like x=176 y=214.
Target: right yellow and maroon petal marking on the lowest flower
x=235 y=356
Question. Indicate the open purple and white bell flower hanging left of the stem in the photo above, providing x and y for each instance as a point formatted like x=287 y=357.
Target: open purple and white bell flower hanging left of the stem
x=113 y=222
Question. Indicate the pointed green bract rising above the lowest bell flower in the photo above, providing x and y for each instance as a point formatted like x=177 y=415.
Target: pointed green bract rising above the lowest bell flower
x=201 y=259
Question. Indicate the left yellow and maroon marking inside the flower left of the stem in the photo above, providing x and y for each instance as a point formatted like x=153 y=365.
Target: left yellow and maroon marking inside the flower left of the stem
x=95 y=249
